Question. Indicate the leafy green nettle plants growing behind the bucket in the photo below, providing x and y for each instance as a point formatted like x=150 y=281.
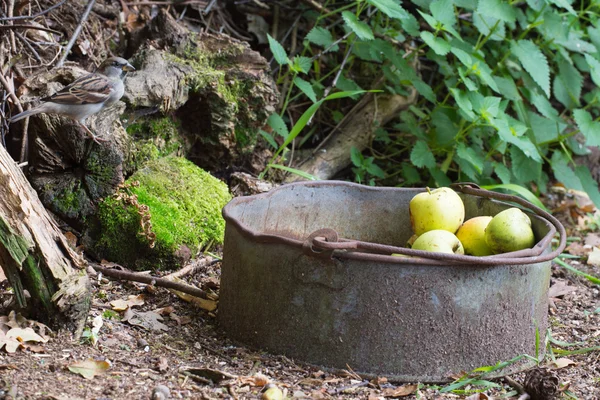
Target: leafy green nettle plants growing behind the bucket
x=507 y=89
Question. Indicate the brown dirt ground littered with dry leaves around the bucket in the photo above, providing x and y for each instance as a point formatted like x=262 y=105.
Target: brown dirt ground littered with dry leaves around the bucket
x=194 y=360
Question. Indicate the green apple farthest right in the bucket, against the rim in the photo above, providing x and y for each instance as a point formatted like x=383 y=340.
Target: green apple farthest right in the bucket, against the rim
x=509 y=230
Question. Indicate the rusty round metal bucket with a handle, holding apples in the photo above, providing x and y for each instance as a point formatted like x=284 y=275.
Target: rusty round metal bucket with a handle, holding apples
x=307 y=272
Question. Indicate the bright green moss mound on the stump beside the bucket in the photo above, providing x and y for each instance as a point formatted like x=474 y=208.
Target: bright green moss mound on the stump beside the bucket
x=184 y=204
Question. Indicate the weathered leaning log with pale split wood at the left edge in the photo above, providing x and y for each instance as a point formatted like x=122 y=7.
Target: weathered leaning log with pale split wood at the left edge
x=36 y=257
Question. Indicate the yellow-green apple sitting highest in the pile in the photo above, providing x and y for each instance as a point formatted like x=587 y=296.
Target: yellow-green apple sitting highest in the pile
x=436 y=209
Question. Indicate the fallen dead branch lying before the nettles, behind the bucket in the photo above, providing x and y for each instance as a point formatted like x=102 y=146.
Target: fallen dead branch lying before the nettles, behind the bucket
x=355 y=130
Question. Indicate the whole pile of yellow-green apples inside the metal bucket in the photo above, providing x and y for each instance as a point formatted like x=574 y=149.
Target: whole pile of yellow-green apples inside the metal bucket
x=437 y=219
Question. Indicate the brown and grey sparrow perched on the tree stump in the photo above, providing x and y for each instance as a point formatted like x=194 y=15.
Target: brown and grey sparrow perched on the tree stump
x=86 y=95
